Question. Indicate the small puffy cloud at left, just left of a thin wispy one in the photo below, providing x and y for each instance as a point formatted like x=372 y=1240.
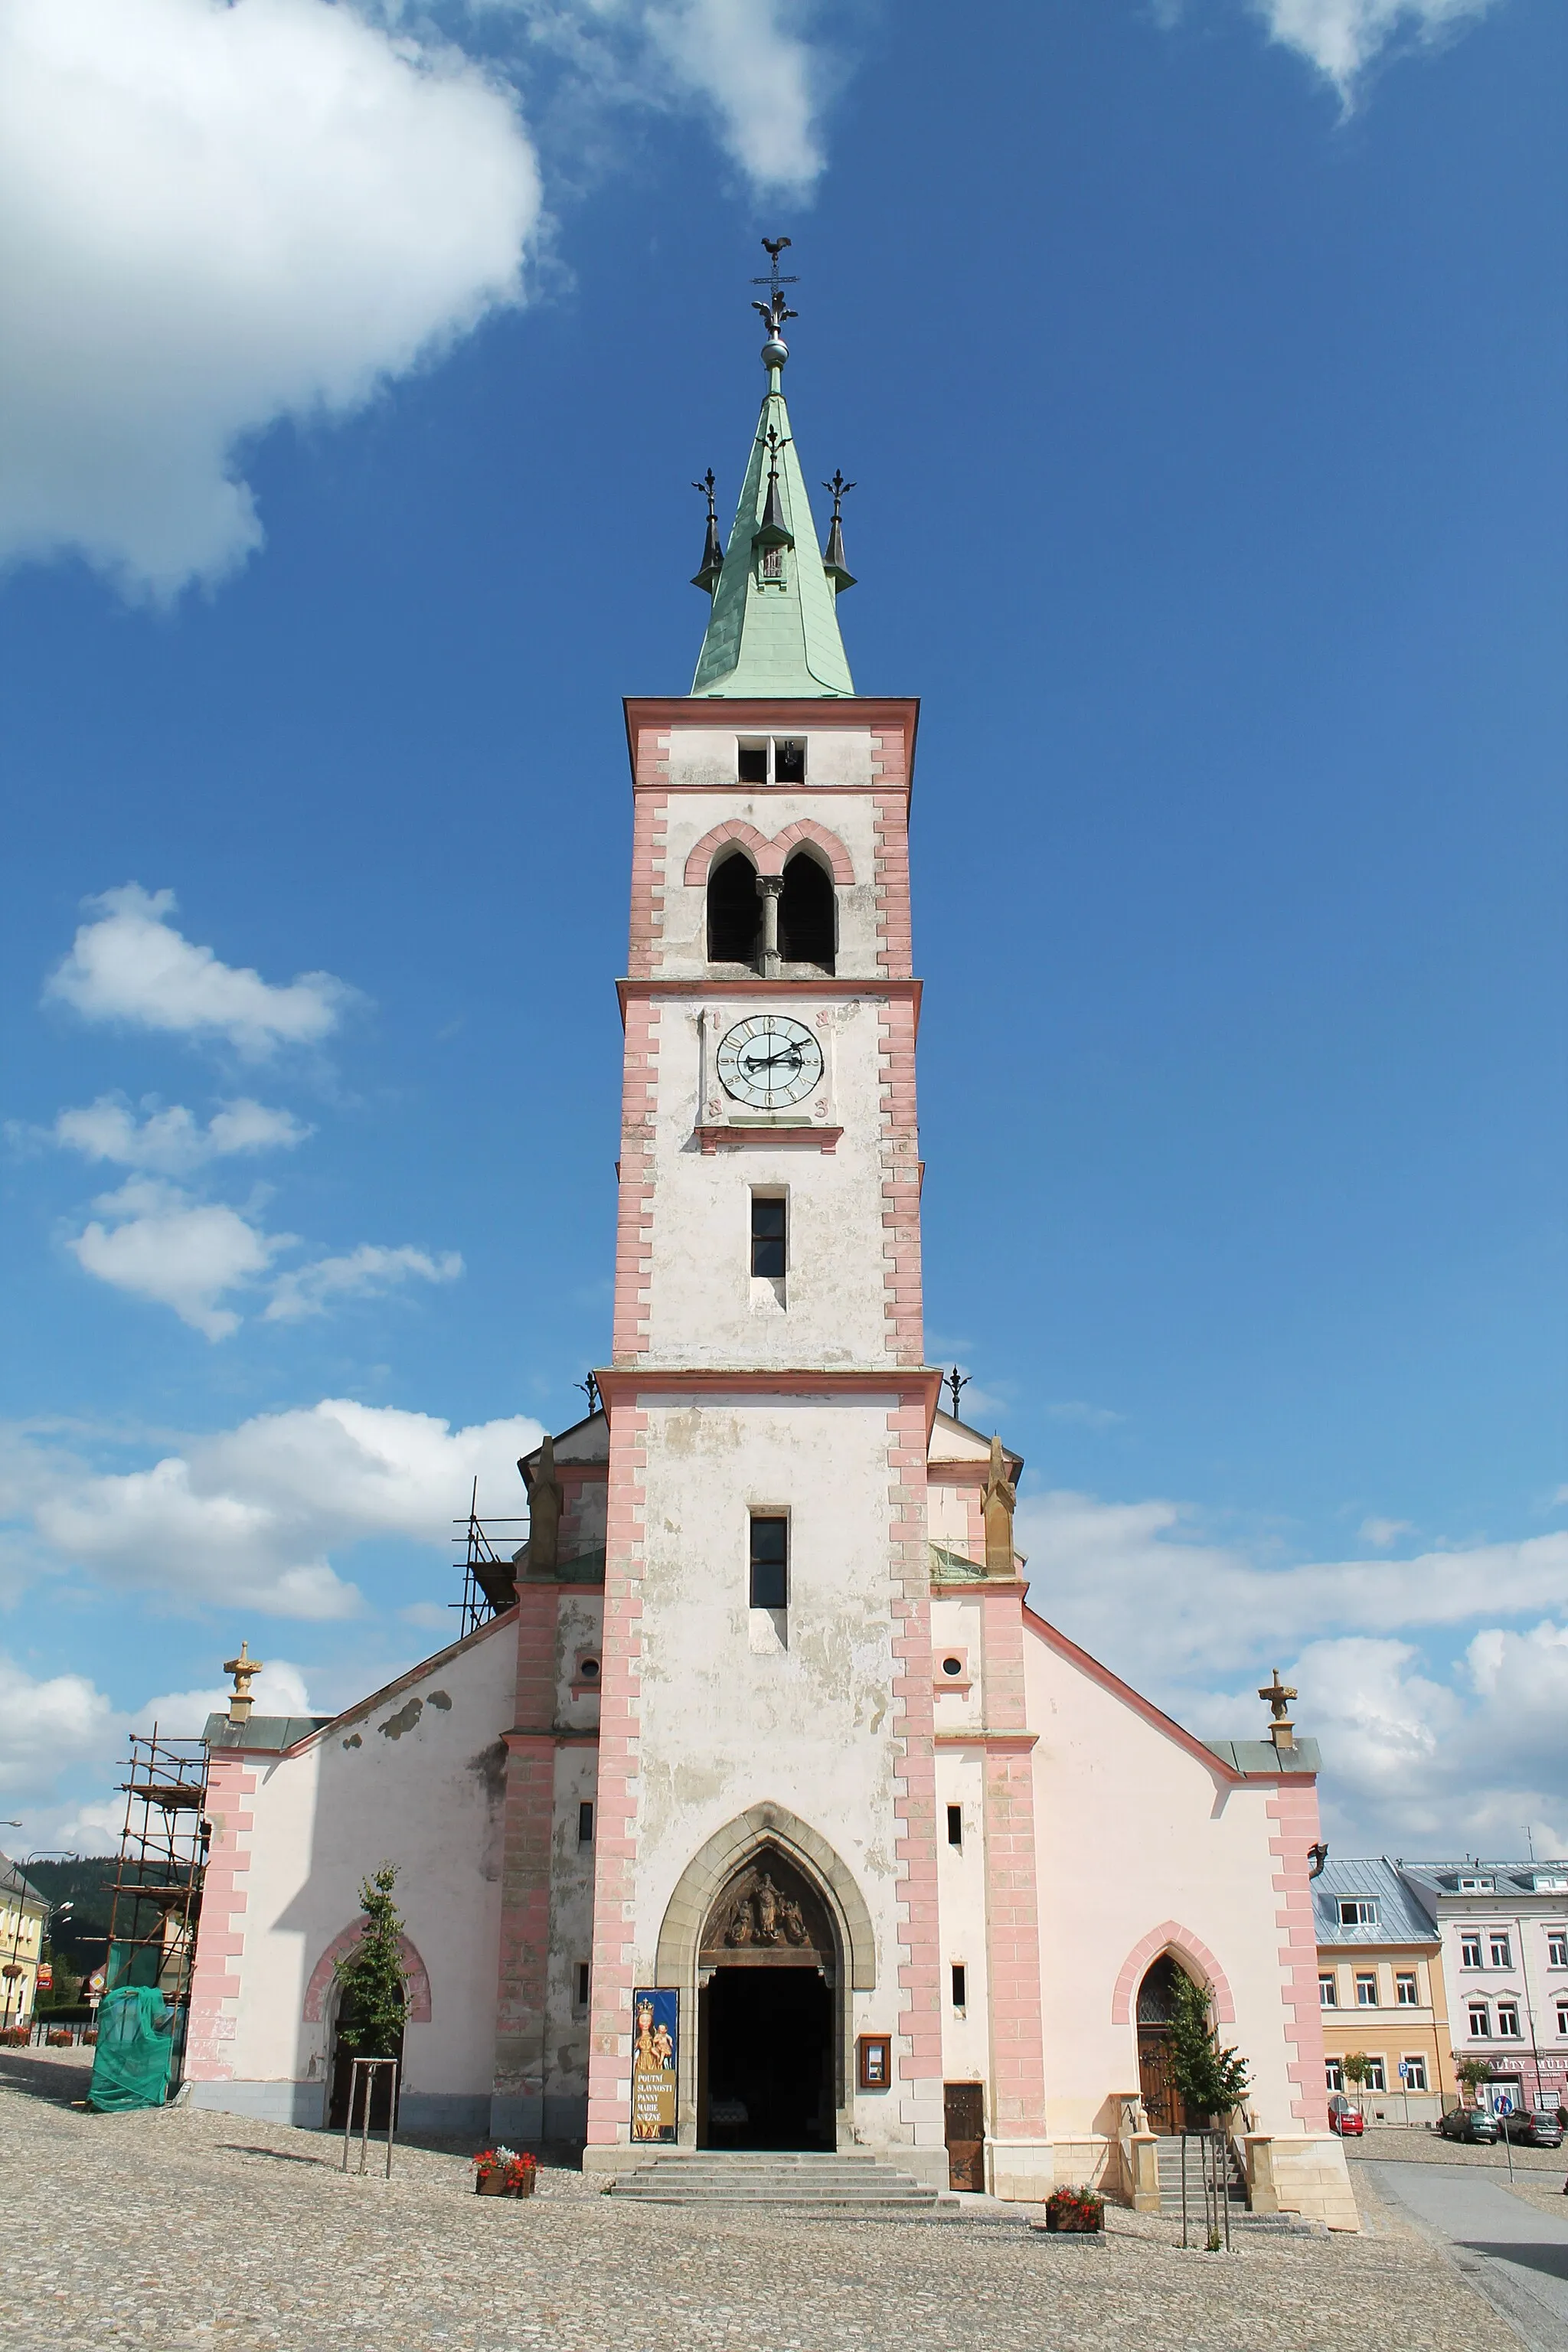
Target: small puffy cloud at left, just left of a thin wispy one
x=175 y=1250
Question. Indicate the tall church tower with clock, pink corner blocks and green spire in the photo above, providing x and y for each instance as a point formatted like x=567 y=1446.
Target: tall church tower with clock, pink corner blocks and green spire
x=765 y=1850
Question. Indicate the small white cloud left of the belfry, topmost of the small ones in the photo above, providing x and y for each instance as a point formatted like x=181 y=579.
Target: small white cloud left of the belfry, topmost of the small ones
x=133 y=965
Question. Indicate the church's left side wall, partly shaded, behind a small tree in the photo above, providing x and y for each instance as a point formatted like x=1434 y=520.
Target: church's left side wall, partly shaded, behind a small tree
x=415 y=1779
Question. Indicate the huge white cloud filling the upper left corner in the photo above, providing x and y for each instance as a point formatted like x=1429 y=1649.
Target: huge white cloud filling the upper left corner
x=215 y=218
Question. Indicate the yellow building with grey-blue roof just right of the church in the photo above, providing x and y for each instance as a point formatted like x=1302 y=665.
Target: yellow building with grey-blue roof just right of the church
x=1381 y=1991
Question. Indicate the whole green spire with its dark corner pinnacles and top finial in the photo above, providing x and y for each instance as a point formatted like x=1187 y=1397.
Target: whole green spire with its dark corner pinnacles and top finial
x=775 y=627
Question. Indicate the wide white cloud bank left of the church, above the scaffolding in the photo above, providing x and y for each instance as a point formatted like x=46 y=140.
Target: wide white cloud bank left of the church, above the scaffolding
x=253 y=1516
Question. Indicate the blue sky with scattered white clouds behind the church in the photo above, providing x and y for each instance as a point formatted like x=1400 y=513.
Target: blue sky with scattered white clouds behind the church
x=1202 y=380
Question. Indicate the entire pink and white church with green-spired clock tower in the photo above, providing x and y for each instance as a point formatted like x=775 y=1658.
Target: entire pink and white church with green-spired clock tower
x=763 y=1737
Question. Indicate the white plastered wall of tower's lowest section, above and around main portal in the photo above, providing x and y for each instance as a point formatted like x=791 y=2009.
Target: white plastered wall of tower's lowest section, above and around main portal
x=810 y=1725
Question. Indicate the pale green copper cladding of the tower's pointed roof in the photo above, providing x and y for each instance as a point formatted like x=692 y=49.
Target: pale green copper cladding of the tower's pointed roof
x=775 y=636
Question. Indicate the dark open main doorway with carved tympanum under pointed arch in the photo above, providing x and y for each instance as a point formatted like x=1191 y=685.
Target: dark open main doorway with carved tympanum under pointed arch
x=770 y=1991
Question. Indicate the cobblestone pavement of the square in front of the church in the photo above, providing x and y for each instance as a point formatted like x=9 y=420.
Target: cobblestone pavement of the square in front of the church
x=185 y=2231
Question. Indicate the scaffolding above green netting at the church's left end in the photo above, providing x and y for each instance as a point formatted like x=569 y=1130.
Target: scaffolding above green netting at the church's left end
x=159 y=1871
